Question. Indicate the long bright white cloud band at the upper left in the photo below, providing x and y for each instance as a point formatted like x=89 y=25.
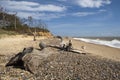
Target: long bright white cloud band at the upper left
x=31 y=6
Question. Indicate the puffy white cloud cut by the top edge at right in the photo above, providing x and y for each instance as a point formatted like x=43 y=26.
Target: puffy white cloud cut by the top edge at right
x=92 y=3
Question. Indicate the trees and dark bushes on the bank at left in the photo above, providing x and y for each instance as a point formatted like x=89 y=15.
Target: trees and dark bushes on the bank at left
x=11 y=22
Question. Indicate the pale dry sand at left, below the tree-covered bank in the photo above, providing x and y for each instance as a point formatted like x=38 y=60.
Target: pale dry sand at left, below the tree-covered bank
x=14 y=44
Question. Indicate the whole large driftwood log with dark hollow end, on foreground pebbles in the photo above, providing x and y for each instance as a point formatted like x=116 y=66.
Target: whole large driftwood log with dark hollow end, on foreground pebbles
x=29 y=59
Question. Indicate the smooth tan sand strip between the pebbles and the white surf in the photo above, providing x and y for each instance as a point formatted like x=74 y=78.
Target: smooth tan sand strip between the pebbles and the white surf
x=99 y=50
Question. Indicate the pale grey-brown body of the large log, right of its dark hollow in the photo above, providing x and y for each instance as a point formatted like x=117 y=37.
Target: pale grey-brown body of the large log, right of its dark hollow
x=33 y=61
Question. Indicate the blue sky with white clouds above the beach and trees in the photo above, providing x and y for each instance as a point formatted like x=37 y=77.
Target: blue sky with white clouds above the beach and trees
x=71 y=17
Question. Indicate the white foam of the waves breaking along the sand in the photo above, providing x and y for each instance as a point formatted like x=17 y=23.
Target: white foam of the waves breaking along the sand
x=114 y=43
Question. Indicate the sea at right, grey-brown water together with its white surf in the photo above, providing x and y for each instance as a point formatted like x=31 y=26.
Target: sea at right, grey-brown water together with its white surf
x=108 y=41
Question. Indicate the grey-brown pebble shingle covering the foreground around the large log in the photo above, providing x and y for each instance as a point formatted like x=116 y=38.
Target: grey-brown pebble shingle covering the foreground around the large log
x=67 y=66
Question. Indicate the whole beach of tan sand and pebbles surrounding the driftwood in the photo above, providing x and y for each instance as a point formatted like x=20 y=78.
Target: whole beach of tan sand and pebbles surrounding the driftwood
x=99 y=62
